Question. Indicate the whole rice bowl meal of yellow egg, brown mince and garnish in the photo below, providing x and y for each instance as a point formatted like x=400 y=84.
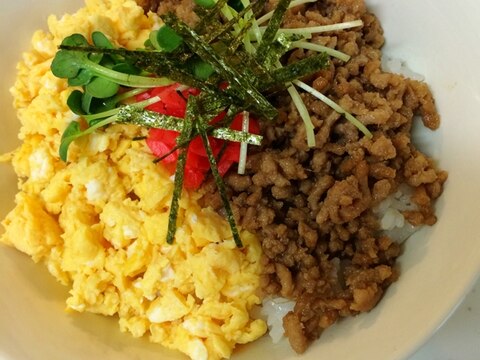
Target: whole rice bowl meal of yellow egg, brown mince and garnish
x=186 y=163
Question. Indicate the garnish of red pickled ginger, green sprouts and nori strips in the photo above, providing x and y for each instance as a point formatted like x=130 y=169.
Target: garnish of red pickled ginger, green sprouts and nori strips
x=201 y=91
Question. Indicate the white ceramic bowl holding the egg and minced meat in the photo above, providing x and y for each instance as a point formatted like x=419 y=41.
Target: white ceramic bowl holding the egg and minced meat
x=437 y=38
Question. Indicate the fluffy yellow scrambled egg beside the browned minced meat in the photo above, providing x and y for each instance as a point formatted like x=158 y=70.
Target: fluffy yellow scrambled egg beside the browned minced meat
x=99 y=222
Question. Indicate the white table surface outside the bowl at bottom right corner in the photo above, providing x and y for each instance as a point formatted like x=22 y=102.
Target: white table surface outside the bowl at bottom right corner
x=459 y=337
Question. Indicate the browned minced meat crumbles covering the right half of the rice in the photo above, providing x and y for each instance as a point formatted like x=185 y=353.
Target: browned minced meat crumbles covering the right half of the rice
x=312 y=207
